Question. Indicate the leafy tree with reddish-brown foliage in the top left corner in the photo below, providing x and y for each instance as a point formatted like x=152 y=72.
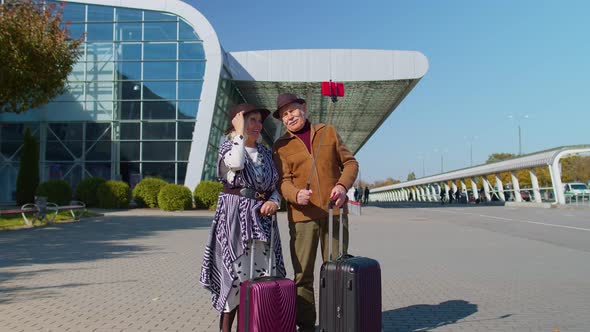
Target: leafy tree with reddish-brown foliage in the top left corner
x=37 y=54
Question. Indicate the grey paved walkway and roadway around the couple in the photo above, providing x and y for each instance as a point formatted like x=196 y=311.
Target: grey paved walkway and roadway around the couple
x=442 y=270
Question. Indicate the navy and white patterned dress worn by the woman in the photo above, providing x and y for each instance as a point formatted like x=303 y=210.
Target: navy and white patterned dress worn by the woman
x=238 y=225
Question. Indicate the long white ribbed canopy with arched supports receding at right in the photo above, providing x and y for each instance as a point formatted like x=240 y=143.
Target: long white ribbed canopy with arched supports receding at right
x=425 y=188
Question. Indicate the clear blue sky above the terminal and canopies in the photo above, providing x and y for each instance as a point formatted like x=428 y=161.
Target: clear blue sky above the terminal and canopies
x=487 y=60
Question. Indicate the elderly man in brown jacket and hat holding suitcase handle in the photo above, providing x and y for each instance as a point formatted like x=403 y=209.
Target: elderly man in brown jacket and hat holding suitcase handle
x=334 y=172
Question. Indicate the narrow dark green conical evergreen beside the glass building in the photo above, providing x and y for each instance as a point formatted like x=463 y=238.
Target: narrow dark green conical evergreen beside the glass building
x=27 y=179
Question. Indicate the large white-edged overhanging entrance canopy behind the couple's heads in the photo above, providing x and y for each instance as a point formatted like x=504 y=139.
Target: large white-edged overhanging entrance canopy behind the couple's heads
x=375 y=81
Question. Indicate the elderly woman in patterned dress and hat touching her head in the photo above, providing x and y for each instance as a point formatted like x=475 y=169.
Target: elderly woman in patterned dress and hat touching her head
x=243 y=214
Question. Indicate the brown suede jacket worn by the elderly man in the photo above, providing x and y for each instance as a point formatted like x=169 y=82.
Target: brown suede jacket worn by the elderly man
x=335 y=165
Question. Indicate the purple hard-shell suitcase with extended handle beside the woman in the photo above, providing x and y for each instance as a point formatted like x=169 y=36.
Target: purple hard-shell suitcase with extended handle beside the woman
x=267 y=304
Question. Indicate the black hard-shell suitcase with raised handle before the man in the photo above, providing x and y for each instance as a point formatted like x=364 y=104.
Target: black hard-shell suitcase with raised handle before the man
x=350 y=291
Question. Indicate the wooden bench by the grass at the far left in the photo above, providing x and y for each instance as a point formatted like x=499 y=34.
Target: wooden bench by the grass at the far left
x=46 y=211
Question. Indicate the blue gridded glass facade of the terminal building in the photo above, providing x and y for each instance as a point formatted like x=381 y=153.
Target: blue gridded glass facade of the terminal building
x=135 y=94
